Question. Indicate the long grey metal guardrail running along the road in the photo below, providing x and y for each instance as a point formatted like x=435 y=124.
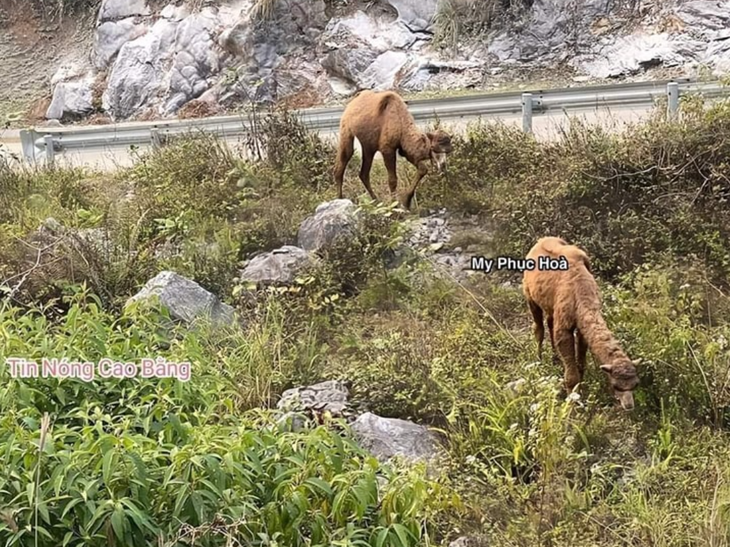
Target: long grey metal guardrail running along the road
x=45 y=142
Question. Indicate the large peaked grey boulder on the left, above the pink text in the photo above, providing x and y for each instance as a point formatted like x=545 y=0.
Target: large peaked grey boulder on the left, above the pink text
x=185 y=299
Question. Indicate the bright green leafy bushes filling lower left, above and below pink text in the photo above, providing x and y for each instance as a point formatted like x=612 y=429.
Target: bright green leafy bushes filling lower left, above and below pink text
x=139 y=461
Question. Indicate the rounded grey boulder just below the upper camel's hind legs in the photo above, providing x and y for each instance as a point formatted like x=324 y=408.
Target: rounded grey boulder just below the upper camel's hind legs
x=331 y=221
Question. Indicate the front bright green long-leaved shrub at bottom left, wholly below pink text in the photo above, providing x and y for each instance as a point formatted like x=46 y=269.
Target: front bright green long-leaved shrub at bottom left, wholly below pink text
x=253 y=483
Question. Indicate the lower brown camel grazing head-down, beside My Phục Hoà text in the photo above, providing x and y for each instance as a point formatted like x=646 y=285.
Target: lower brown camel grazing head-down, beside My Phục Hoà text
x=571 y=301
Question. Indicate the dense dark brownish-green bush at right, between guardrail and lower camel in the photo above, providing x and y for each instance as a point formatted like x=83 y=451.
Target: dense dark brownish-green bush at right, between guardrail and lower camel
x=660 y=186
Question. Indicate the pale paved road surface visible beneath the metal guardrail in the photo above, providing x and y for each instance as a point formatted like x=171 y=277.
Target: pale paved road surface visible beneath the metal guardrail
x=545 y=127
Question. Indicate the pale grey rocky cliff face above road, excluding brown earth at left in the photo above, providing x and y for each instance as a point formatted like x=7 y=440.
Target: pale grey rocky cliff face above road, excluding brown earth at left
x=149 y=59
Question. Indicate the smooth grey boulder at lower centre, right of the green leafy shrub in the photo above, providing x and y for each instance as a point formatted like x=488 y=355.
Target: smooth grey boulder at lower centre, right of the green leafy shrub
x=386 y=438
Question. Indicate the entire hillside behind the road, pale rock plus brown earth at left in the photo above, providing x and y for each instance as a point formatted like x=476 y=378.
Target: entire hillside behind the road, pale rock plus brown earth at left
x=130 y=59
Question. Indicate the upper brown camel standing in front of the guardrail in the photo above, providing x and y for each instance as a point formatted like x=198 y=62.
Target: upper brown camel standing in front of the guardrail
x=382 y=123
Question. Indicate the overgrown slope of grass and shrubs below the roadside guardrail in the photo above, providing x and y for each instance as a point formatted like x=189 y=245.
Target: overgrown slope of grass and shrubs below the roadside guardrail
x=155 y=460
